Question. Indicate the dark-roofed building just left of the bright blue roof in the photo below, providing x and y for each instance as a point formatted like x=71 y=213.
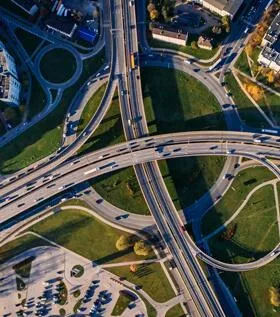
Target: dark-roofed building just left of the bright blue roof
x=63 y=25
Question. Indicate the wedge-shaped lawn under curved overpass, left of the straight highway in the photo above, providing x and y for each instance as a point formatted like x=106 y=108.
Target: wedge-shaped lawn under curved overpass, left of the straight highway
x=121 y=189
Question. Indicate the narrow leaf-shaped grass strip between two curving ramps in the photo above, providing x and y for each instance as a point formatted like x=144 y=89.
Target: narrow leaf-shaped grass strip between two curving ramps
x=91 y=108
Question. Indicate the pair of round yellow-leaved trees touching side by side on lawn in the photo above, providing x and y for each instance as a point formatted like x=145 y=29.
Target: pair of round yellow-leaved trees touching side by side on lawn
x=140 y=247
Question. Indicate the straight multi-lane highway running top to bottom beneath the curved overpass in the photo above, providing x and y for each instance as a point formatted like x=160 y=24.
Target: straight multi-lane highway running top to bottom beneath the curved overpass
x=135 y=125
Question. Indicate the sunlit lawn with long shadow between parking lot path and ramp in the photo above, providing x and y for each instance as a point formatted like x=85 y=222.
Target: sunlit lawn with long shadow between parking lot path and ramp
x=86 y=235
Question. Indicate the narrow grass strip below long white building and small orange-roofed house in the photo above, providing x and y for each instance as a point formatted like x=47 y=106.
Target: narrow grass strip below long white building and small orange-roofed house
x=195 y=52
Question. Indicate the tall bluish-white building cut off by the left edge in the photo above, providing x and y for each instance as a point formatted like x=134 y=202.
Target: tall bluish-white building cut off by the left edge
x=9 y=84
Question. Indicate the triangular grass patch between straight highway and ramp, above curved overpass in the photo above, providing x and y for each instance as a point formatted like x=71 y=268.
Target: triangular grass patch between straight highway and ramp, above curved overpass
x=109 y=132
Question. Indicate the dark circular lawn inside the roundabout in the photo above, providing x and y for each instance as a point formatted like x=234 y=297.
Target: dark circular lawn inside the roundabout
x=58 y=65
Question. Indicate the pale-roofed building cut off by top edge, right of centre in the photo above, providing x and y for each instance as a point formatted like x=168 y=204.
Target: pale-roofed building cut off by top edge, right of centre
x=222 y=7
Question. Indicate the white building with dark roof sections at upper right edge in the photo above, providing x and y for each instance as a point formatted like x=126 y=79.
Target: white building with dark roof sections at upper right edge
x=270 y=54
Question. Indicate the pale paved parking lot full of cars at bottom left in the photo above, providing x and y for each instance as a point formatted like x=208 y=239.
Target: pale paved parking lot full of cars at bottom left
x=52 y=288
